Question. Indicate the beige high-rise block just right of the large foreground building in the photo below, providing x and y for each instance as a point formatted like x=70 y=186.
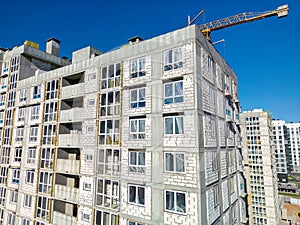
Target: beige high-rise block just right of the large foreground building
x=260 y=169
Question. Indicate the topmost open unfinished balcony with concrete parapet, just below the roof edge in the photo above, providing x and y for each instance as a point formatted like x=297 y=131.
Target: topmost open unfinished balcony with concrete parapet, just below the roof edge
x=73 y=86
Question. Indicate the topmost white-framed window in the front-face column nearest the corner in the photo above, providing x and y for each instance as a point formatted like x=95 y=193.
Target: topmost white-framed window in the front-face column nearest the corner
x=173 y=59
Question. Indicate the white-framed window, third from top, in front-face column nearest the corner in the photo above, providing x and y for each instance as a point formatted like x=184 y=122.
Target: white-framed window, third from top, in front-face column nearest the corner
x=179 y=120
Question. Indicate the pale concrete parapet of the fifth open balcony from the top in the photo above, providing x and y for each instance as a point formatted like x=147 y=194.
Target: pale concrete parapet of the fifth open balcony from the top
x=66 y=193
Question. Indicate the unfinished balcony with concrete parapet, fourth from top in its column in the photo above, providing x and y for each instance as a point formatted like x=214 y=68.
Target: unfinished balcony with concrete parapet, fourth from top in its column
x=68 y=160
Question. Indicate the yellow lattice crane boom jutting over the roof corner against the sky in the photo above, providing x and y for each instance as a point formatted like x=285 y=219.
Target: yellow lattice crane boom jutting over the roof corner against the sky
x=247 y=17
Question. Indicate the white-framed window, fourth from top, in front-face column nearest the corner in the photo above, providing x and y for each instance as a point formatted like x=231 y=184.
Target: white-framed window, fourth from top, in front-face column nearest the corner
x=174 y=162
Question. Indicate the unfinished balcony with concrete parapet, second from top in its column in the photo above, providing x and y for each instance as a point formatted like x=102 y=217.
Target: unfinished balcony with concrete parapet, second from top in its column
x=71 y=109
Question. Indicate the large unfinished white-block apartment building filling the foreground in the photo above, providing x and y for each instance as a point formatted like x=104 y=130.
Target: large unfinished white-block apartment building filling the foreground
x=145 y=134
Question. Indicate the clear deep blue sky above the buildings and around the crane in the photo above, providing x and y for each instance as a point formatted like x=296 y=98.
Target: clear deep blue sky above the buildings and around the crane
x=264 y=54
